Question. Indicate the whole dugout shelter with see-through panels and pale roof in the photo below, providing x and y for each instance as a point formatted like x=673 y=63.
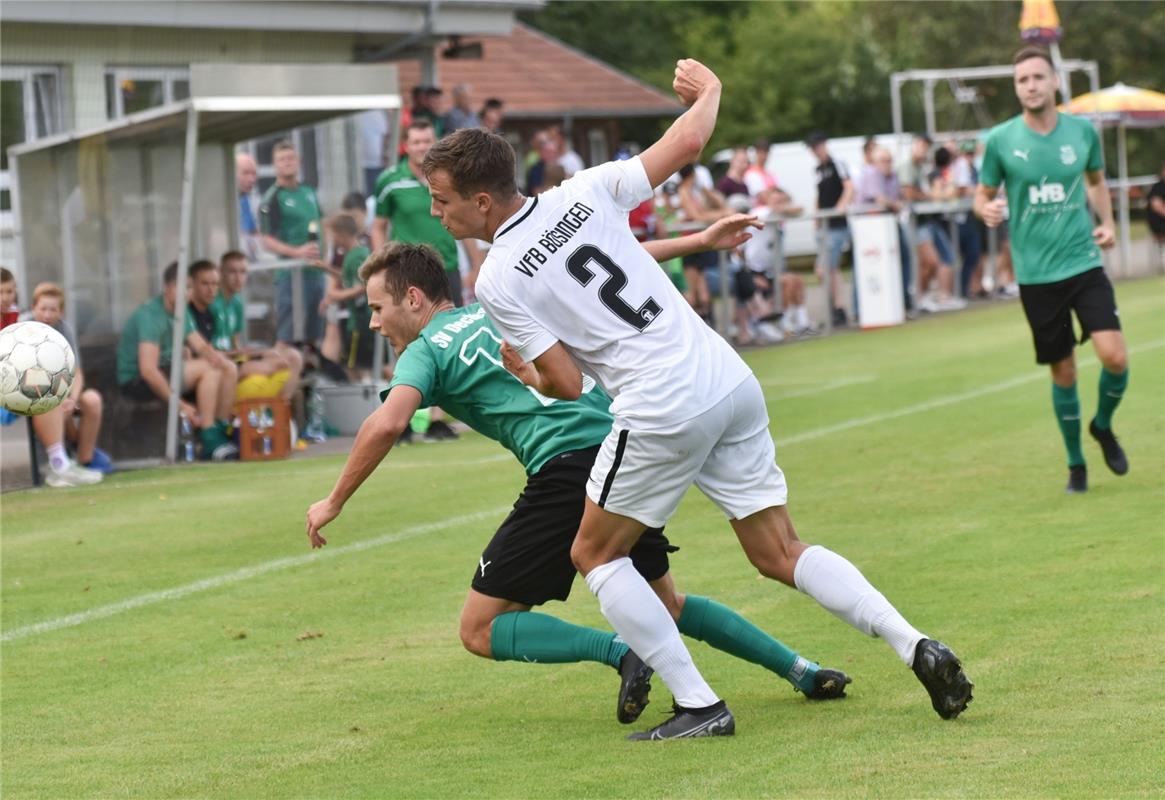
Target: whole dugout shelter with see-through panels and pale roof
x=102 y=213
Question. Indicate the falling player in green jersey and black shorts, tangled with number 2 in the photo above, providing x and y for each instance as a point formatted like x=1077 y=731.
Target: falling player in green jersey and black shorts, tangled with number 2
x=453 y=357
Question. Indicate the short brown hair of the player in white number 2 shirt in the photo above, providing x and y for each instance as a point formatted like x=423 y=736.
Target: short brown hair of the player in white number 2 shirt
x=477 y=161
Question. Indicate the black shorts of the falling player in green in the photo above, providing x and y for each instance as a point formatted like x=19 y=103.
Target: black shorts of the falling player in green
x=529 y=558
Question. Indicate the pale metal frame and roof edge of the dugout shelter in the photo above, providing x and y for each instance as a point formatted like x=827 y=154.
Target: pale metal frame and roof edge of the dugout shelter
x=221 y=112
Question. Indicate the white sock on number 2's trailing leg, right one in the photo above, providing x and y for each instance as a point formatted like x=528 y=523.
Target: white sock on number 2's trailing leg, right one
x=838 y=586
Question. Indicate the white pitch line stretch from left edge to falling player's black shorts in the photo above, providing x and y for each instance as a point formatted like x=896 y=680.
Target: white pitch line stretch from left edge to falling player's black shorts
x=244 y=575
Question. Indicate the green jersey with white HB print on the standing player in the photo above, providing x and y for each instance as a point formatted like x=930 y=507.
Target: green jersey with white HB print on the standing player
x=1044 y=179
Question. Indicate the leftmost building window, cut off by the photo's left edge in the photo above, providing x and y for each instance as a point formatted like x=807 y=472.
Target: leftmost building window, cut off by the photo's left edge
x=30 y=109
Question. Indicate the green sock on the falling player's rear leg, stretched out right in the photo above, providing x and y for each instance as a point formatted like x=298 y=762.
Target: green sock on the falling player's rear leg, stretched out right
x=724 y=629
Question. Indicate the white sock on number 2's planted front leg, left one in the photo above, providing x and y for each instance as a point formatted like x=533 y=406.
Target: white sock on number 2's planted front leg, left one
x=639 y=617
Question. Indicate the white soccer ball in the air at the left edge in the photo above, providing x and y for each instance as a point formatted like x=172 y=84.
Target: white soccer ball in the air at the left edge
x=37 y=369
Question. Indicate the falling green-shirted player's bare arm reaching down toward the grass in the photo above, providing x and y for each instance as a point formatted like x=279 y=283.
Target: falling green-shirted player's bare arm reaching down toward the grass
x=375 y=440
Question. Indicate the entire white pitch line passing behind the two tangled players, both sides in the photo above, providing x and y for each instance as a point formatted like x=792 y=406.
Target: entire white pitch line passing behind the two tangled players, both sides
x=246 y=574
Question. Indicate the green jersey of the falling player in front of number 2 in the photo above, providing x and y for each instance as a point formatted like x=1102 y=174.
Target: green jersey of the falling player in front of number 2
x=456 y=364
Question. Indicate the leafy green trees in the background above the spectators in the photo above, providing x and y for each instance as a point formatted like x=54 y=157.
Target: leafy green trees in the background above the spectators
x=790 y=68
